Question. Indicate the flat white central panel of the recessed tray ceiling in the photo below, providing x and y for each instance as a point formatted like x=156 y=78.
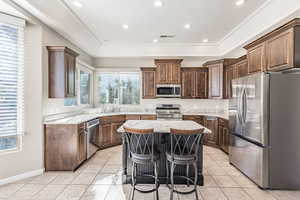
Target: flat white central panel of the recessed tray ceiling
x=211 y=19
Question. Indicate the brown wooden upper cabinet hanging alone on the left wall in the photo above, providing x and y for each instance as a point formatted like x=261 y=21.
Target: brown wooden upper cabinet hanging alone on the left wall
x=62 y=68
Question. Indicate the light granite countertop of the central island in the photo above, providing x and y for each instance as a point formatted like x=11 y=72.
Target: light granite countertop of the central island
x=163 y=126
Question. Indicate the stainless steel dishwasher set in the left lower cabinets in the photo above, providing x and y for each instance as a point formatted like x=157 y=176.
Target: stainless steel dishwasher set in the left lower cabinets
x=92 y=127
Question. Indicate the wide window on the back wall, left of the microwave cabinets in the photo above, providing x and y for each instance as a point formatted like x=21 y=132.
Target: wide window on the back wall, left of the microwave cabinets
x=114 y=88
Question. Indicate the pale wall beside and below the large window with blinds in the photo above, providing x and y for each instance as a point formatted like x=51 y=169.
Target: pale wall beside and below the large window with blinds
x=31 y=156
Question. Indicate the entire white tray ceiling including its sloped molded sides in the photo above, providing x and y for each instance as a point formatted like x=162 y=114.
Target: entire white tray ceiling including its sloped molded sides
x=96 y=27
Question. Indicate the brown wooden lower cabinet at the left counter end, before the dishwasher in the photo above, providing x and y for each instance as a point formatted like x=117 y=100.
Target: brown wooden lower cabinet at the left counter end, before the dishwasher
x=65 y=146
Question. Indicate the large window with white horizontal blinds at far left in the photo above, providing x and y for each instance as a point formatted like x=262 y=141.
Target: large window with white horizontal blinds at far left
x=11 y=82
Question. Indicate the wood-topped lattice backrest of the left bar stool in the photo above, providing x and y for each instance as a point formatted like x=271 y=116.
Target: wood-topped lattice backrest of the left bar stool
x=140 y=141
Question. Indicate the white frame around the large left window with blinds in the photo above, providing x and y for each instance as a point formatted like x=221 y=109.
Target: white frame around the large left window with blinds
x=20 y=23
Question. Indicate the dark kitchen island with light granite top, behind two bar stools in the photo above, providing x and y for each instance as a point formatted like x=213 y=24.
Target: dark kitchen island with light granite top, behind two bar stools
x=161 y=135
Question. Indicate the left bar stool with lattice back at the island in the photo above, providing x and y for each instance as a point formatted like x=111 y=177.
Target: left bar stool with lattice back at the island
x=142 y=151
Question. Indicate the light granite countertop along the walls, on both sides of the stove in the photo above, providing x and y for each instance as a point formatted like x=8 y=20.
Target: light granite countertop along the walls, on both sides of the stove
x=80 y=118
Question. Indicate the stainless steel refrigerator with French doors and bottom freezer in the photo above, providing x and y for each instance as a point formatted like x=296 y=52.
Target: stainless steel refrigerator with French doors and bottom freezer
x=264 y=120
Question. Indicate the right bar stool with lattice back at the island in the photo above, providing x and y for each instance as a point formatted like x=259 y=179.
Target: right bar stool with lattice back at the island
x=183 y=150
